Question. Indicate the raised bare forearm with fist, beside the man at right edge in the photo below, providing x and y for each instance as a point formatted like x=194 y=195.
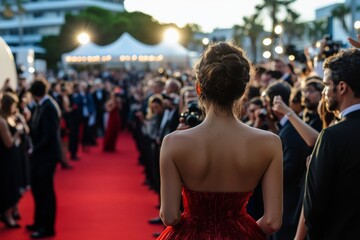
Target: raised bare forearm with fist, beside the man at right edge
x=305 y=131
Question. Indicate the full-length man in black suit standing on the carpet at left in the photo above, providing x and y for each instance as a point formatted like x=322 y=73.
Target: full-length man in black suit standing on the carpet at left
x=46 y=152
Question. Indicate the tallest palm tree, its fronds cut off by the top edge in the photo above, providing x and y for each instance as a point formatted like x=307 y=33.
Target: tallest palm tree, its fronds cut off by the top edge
x=273 y=7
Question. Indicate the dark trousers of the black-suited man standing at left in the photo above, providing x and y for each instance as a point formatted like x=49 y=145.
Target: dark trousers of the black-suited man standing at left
x=42 y=186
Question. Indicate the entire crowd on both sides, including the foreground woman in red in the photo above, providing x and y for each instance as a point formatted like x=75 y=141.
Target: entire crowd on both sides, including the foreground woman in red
x=197 y=133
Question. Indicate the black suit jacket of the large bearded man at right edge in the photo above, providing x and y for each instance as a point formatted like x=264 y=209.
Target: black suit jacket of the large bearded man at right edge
x=332 y=195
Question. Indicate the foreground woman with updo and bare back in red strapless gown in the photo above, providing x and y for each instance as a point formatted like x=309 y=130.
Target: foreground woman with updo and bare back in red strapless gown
x=216 y=165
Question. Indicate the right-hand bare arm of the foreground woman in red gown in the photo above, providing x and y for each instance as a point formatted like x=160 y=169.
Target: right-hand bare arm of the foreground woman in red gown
x=272 y=188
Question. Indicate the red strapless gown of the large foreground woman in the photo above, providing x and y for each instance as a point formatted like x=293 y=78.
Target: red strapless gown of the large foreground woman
x=214 y=216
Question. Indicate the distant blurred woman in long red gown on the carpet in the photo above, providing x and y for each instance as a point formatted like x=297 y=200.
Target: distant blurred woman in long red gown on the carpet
x=113 y=106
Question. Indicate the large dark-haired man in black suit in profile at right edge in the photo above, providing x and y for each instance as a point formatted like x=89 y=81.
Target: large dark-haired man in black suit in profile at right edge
x=332 y=195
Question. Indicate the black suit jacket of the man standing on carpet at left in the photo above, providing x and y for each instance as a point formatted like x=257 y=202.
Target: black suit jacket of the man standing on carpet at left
x=45 y=134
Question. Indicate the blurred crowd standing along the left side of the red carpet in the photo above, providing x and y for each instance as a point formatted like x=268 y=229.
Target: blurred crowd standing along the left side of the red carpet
x=44 y=124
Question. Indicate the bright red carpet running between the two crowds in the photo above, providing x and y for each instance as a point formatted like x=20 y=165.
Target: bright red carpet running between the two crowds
x=101 y=198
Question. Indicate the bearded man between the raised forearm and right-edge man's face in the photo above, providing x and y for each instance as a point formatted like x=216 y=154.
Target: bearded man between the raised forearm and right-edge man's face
x=311 y=99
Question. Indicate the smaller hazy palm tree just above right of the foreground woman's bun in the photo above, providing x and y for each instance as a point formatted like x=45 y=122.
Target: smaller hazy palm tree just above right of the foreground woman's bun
x=251 y=28
